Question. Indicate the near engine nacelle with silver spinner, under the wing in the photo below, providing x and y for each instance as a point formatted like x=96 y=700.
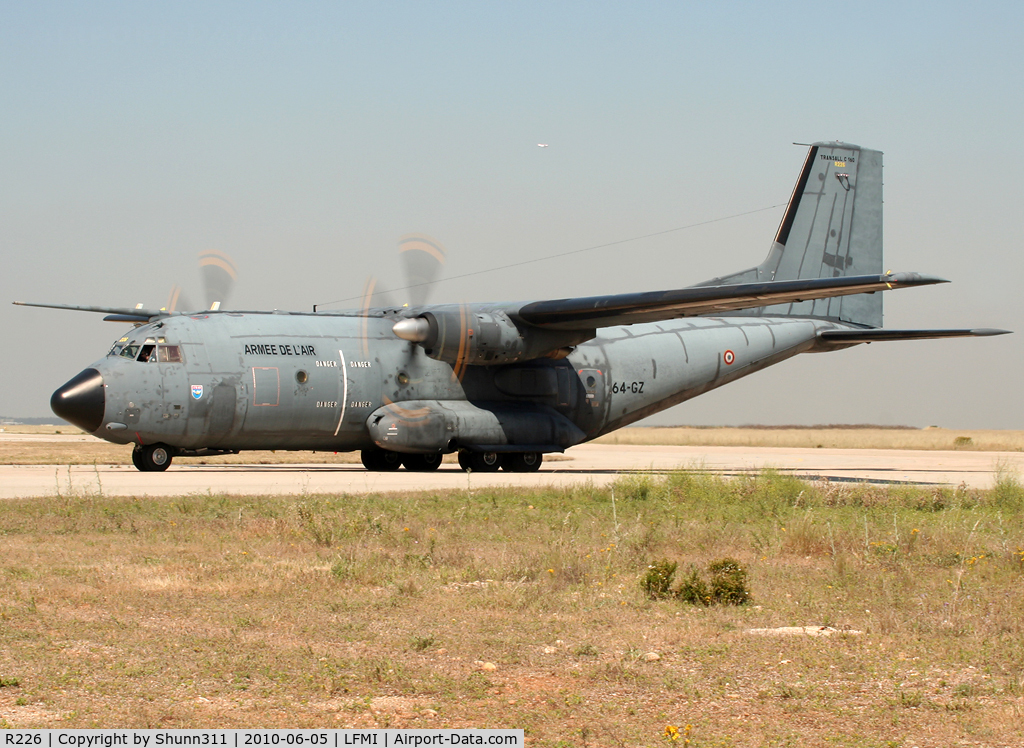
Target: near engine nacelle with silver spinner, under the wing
x=461 y=337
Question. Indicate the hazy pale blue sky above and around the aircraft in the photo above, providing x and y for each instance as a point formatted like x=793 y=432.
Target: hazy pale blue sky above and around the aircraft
x=305 y=139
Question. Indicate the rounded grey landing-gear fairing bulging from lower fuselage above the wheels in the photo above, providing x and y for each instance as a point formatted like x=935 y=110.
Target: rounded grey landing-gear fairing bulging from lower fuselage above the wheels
x=430 y=427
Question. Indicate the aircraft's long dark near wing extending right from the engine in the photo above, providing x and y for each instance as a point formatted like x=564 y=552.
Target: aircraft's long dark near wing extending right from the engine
x=630 y=309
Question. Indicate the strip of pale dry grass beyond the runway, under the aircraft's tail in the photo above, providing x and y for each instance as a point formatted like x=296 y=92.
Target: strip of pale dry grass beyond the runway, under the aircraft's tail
x=824 y=437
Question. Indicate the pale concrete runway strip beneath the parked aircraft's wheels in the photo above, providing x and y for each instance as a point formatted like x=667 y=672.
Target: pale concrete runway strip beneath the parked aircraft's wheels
x=596 y=464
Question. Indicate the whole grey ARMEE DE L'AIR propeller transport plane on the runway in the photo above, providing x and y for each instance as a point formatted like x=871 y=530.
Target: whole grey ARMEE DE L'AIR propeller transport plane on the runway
x=500 y=384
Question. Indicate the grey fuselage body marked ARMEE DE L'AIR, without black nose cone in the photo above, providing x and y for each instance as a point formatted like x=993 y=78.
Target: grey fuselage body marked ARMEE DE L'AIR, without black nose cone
x=311 y=383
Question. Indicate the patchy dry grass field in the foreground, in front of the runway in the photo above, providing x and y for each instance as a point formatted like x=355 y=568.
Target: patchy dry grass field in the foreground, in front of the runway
x=377 y=610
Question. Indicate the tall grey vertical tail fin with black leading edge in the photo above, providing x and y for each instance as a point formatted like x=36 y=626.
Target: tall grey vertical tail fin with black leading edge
x=832 y=228
